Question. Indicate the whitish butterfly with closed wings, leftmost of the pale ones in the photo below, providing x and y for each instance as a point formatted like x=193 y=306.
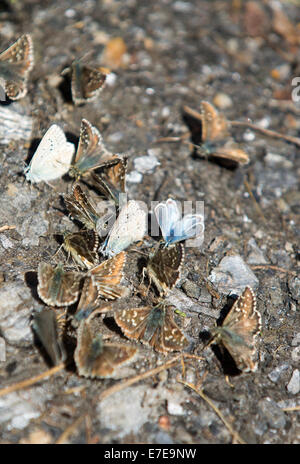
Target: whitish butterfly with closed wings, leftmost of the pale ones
x=52 y=158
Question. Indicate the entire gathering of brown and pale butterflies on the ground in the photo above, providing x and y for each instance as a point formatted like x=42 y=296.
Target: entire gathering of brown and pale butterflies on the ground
x=123 y=224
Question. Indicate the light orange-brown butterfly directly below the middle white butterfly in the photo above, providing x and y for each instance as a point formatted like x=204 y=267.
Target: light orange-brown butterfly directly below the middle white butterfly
x=108 y=275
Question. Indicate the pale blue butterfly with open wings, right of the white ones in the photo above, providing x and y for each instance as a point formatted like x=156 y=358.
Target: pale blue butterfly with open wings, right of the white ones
x=174 y=228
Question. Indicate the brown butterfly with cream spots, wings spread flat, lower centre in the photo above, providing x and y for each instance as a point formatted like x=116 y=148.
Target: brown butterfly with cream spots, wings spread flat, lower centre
x=153 y=326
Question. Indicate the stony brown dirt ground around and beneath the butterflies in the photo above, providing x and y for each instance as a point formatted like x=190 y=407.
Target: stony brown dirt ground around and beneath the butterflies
x=239 y=55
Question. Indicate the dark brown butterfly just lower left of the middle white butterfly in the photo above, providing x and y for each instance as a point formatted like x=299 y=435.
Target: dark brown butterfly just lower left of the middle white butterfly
x=82 y=246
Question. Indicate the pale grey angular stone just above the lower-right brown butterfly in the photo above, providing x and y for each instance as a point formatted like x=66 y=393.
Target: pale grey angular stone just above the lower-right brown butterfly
x=232 y=275
